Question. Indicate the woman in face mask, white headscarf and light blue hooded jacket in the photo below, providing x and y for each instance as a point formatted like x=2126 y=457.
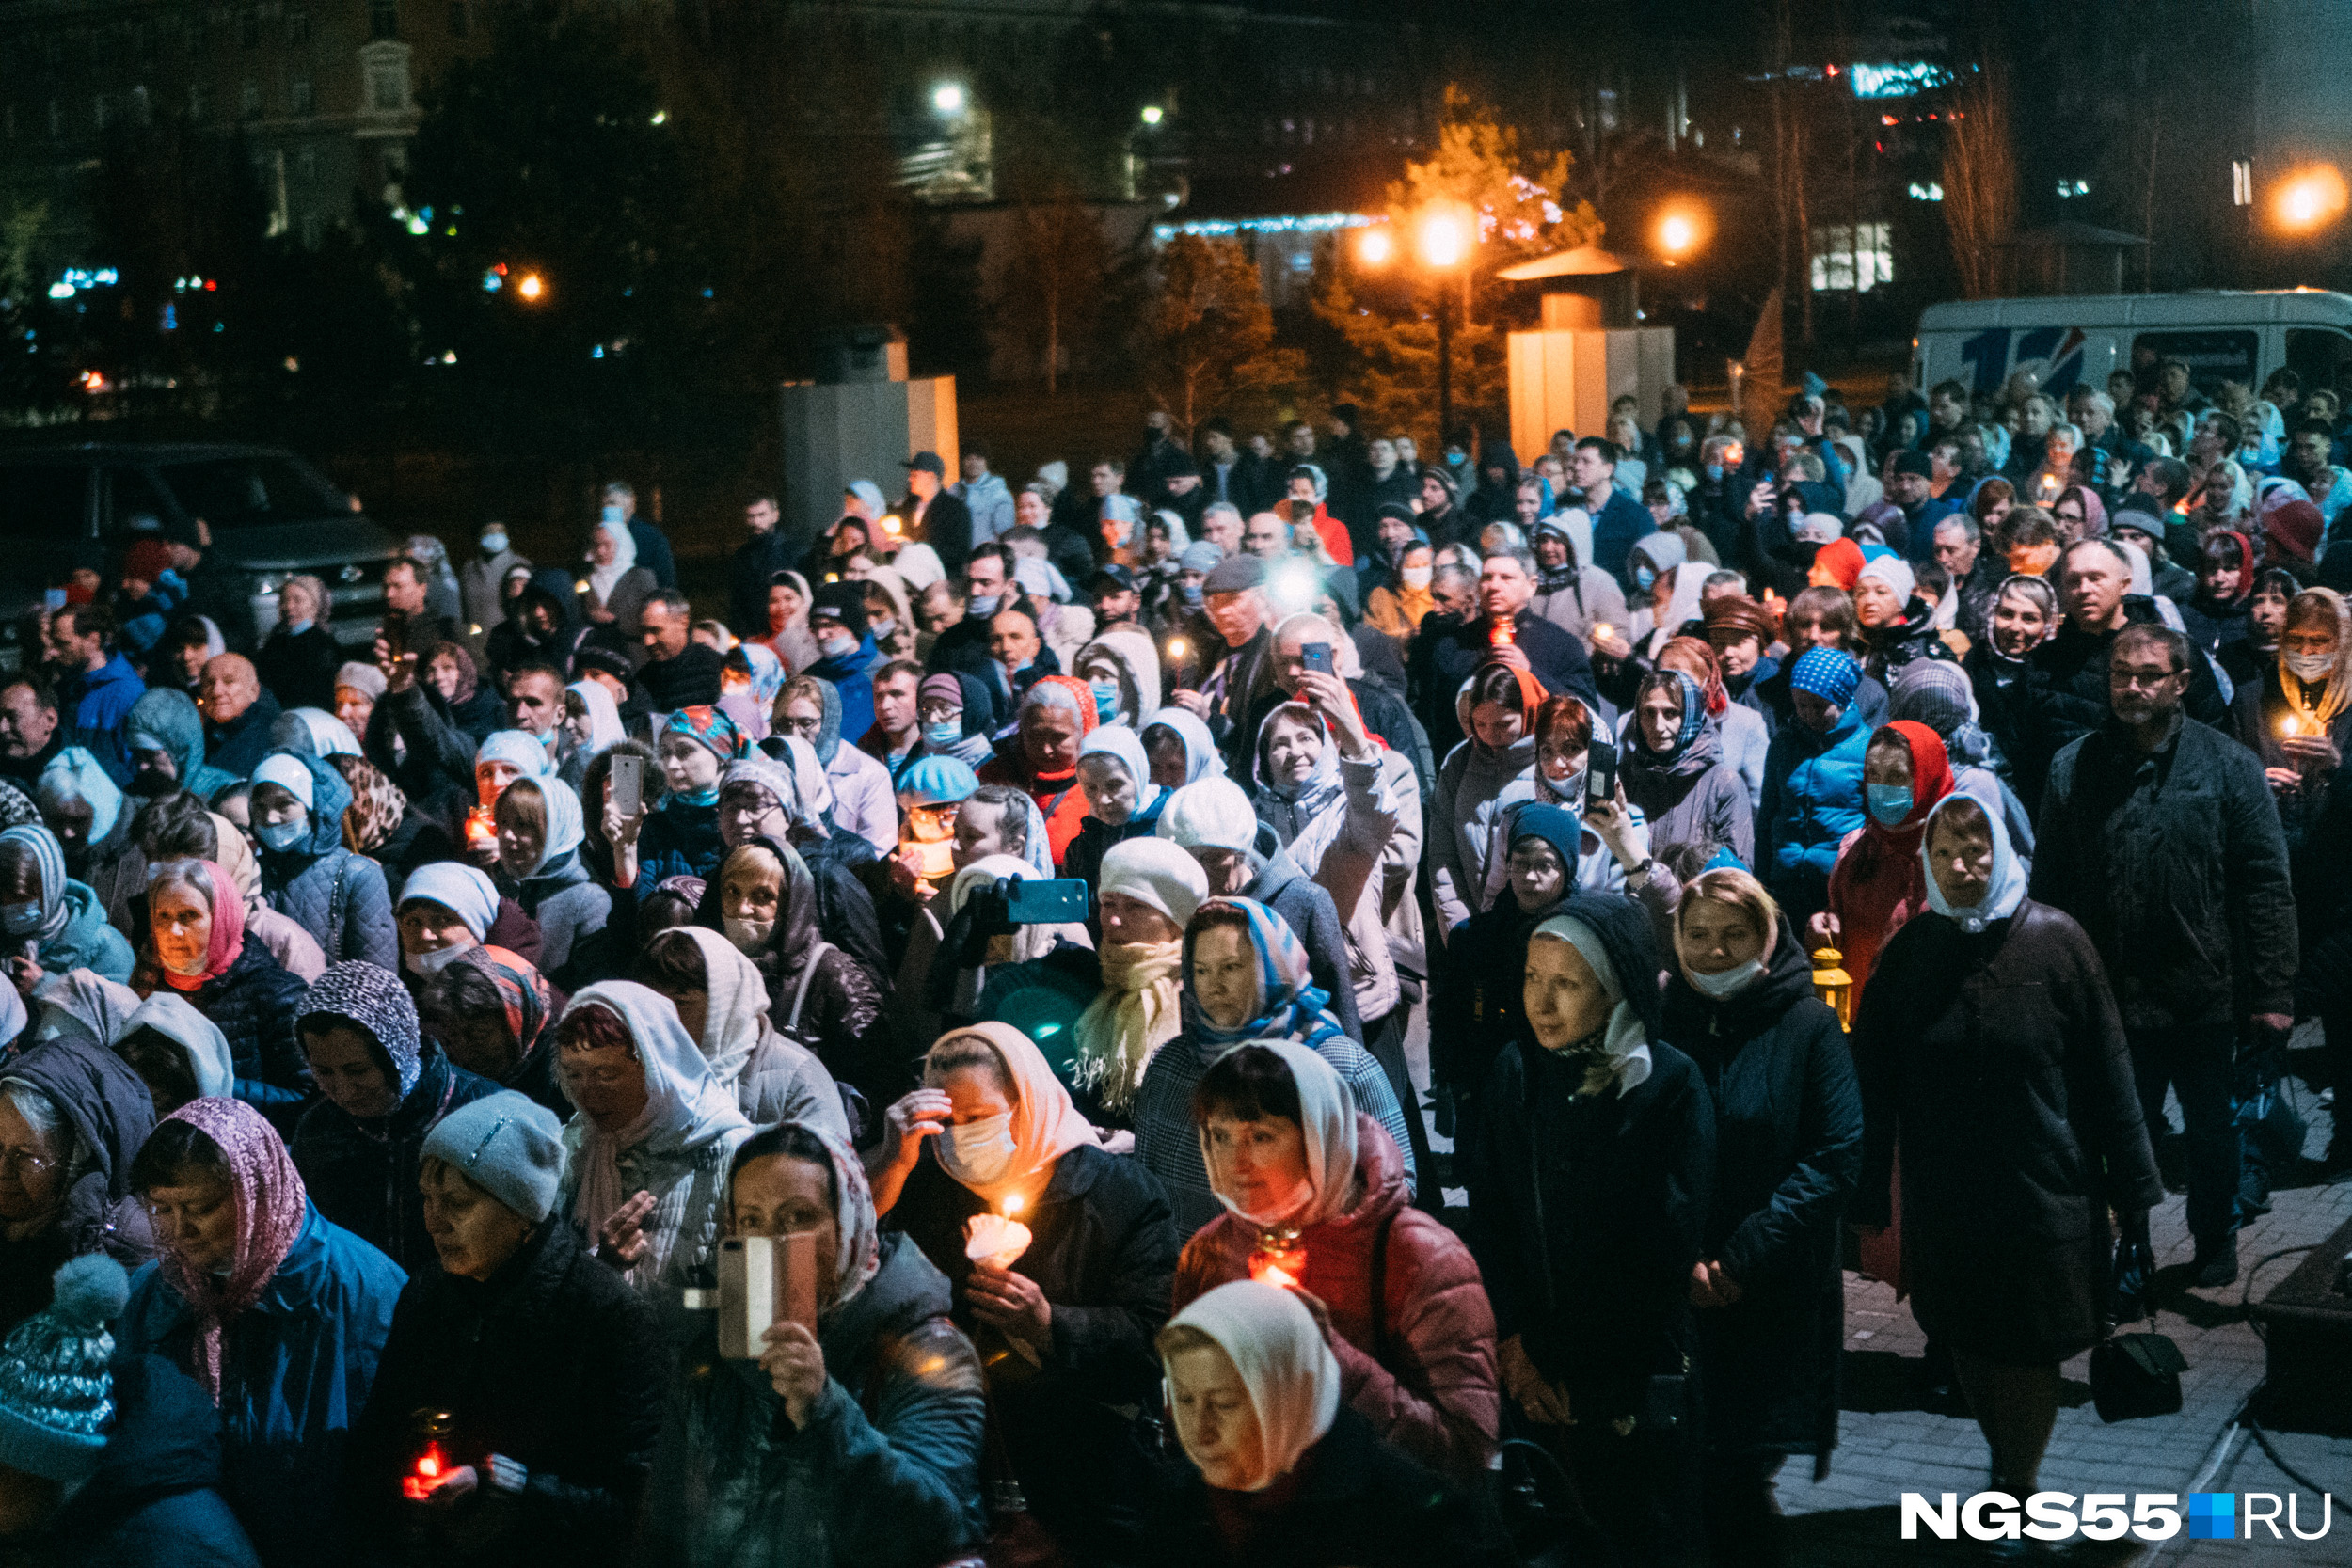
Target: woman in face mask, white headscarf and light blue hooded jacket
x=305 y=869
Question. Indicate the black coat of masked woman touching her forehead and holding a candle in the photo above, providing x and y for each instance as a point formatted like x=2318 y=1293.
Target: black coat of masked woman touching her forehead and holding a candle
x=1104 y=1252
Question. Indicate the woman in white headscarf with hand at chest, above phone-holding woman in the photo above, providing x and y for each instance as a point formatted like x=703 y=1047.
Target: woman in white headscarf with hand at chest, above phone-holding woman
x=646 y=1155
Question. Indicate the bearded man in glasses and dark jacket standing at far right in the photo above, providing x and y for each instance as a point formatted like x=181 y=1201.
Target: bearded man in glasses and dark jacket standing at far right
x=2160 y=838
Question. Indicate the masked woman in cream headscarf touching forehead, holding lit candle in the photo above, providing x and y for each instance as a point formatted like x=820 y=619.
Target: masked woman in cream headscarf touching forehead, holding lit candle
x=1067 y=1327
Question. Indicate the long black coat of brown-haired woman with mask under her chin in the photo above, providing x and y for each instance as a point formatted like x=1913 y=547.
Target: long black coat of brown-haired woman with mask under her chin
x=1789 y=1148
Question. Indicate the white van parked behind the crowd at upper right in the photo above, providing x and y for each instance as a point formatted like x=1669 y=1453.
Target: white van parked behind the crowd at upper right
x=2078 y=340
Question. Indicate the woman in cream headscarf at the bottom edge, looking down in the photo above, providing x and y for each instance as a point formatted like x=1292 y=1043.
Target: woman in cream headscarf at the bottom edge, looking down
x=1283 y=1468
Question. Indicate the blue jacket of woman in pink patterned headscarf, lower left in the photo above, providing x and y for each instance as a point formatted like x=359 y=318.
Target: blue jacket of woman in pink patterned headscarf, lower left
x=295 y=1376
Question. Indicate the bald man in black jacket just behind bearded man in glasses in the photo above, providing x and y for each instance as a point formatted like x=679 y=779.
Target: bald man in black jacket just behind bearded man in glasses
x=2066 y=690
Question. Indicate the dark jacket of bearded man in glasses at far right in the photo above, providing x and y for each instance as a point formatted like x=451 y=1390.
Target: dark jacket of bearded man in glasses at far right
x=2177 y=869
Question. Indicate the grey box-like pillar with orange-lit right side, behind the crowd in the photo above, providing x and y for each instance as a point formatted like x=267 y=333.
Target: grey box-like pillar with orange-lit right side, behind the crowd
x=860 y=422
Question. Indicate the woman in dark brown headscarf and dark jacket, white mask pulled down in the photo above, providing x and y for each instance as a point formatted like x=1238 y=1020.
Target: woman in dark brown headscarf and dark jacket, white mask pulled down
x=763 y=902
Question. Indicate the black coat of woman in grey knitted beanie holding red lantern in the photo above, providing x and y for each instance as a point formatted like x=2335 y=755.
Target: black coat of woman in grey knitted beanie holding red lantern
x=552 y=1362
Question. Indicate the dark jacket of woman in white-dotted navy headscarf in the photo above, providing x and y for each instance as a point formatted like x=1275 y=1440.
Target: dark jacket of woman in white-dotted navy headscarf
x=363 y=1172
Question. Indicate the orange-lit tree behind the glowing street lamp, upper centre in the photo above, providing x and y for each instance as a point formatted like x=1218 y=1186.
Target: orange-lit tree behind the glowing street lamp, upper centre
x=1387 y=311
